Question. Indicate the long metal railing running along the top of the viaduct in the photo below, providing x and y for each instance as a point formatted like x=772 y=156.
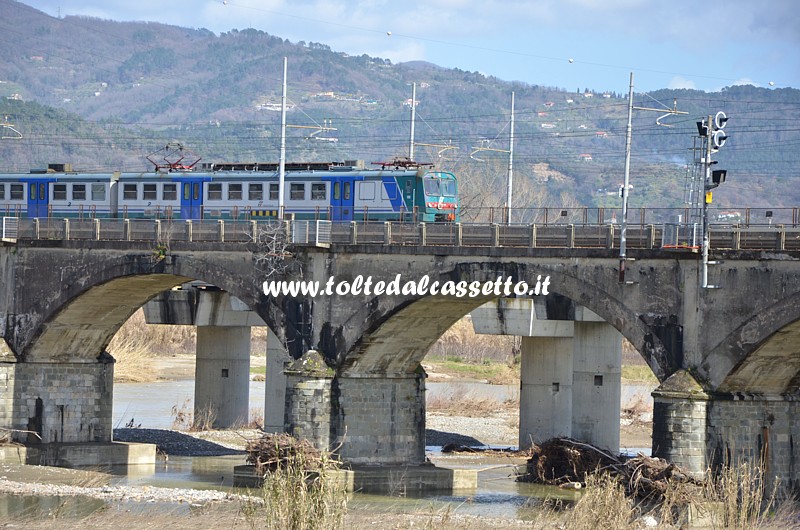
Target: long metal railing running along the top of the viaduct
x=679 y=236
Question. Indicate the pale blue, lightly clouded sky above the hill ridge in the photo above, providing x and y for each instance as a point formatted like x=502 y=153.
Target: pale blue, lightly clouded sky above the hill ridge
x=569 y=44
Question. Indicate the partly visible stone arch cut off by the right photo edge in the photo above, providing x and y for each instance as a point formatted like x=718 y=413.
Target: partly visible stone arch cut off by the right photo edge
x=761 y=356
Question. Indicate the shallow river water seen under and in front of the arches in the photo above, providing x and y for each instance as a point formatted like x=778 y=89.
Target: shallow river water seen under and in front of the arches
x=153 y=405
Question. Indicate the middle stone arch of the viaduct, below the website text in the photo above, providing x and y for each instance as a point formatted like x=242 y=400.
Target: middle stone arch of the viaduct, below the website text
x=396 y=338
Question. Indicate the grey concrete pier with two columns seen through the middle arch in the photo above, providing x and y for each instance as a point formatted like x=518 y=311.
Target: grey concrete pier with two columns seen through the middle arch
x=570 y=375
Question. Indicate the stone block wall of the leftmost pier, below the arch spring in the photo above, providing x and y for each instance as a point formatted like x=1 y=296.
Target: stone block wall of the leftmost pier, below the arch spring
x=63 y=402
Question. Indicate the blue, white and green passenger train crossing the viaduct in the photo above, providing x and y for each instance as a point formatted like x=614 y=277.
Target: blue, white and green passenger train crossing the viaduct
x=335 y=191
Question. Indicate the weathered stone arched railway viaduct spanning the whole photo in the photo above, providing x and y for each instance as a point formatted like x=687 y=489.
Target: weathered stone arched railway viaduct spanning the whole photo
x=727 y=358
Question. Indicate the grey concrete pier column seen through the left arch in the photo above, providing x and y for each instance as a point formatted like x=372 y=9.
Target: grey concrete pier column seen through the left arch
x=222 y=376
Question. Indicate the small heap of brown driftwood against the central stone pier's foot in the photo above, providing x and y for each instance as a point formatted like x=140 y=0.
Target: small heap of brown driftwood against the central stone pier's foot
x=279 y=451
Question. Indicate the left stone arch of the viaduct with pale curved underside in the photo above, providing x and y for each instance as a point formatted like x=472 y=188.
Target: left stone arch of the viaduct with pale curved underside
x=95 y=297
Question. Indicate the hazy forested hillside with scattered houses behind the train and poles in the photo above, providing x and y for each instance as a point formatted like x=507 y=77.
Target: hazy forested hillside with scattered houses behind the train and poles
x=100 y=93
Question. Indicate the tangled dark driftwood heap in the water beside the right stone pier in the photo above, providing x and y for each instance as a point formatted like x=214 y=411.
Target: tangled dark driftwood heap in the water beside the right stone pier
x=565 y=462
